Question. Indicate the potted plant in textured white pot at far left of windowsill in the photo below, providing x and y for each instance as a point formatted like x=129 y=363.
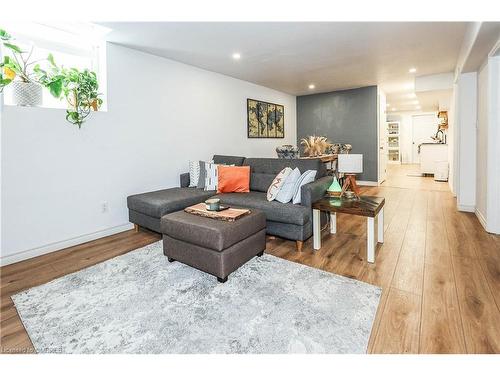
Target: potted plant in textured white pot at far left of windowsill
x=17 y=71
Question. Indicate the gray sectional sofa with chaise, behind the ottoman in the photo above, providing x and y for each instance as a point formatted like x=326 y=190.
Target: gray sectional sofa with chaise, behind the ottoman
x=287 y=220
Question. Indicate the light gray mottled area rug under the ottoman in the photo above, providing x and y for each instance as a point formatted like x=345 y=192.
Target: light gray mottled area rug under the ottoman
x=141 y=303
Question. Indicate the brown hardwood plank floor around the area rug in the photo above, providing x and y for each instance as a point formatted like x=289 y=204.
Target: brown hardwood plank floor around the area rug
x=439 y=270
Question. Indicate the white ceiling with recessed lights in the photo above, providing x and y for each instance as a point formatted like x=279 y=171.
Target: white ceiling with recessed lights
x=290 y=56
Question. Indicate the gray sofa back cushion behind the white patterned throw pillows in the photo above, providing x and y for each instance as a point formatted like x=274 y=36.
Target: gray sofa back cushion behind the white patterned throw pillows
x=264 y=170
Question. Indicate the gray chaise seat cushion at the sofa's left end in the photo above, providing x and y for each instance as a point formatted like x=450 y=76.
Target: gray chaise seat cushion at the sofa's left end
x=161 y=202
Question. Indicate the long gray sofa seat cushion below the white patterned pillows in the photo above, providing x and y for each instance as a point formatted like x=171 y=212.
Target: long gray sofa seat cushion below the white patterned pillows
x=275 y=211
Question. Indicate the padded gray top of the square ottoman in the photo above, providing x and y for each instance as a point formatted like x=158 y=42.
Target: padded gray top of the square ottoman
x=211 y=233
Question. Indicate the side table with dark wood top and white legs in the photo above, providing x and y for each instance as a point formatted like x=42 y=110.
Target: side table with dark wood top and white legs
x=370 y=207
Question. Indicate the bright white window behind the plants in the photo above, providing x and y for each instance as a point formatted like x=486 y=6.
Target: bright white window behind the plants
x=73 y=45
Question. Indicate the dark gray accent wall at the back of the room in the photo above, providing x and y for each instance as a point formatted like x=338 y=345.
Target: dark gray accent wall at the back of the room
x=348 y=116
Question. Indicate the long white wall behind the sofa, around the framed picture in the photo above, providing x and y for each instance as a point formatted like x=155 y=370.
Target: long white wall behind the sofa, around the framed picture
x=160 y=115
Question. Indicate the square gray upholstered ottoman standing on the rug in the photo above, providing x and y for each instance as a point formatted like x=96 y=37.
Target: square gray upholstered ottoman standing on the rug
x=214 y=246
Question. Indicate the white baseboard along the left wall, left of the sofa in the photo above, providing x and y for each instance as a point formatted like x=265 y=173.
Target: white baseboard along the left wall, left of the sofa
x=31 y=253
